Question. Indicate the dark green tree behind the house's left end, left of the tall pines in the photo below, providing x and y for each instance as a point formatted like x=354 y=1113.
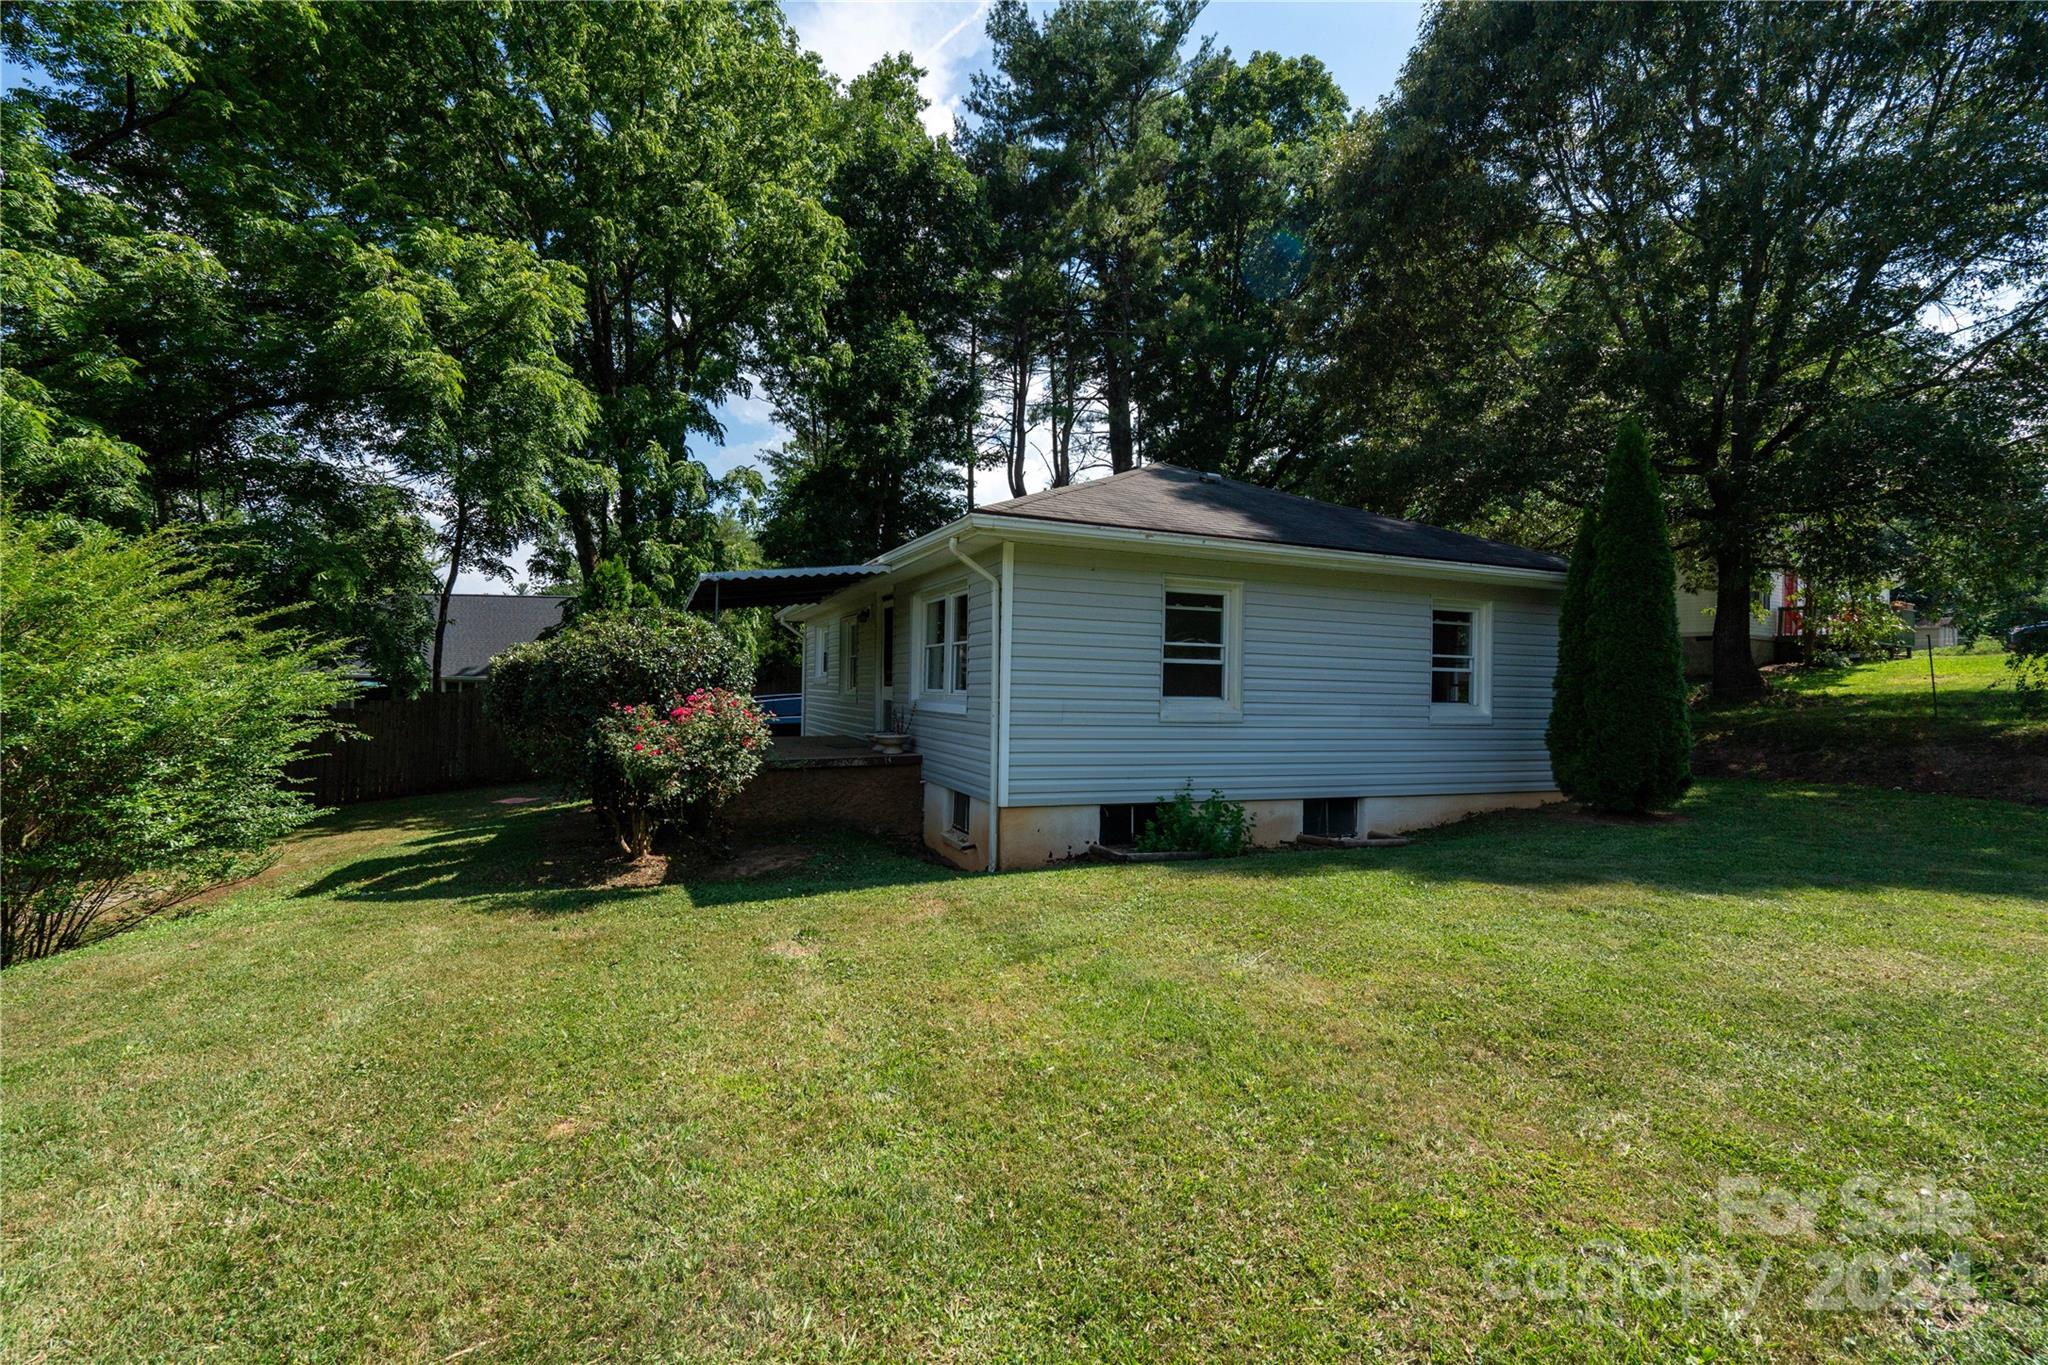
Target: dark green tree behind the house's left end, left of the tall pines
x=886 y=414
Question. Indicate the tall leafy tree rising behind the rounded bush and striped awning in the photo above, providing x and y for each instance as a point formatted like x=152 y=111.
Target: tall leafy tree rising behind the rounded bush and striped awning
x=675 y=157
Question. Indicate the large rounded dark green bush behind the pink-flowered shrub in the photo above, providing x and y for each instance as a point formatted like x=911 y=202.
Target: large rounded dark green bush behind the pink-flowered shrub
x=552 y=695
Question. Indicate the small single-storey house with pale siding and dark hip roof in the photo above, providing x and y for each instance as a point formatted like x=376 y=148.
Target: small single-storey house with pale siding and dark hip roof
x=1070 y=658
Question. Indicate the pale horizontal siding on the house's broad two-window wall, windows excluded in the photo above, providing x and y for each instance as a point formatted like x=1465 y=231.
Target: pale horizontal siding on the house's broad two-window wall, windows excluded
x=1334 y=689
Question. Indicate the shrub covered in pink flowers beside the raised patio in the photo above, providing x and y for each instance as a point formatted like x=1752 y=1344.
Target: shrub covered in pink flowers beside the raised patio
x=677 y=764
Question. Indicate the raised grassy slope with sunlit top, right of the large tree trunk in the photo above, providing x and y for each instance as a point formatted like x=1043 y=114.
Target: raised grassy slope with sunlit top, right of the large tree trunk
x=1879 y=725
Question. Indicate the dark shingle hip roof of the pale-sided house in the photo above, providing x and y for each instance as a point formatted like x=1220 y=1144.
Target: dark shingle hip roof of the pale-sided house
x=1185 y=502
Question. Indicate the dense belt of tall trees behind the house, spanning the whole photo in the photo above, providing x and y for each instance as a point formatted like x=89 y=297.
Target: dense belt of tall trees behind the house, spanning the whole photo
x=374 y=296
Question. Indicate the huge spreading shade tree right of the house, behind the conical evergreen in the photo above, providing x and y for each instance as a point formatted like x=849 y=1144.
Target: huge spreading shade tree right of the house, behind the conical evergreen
x=1801 y=243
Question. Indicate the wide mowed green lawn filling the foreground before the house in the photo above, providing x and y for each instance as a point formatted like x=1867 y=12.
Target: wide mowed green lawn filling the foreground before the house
x=437 y=1094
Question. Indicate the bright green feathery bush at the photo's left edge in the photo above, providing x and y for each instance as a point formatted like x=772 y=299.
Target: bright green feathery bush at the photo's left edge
x=148 y=717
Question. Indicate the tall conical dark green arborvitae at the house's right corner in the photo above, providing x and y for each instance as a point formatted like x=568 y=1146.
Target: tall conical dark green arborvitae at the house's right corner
x=1639 y=740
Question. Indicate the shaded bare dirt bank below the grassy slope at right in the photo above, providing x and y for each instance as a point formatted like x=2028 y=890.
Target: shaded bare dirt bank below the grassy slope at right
x=1955 y=770
